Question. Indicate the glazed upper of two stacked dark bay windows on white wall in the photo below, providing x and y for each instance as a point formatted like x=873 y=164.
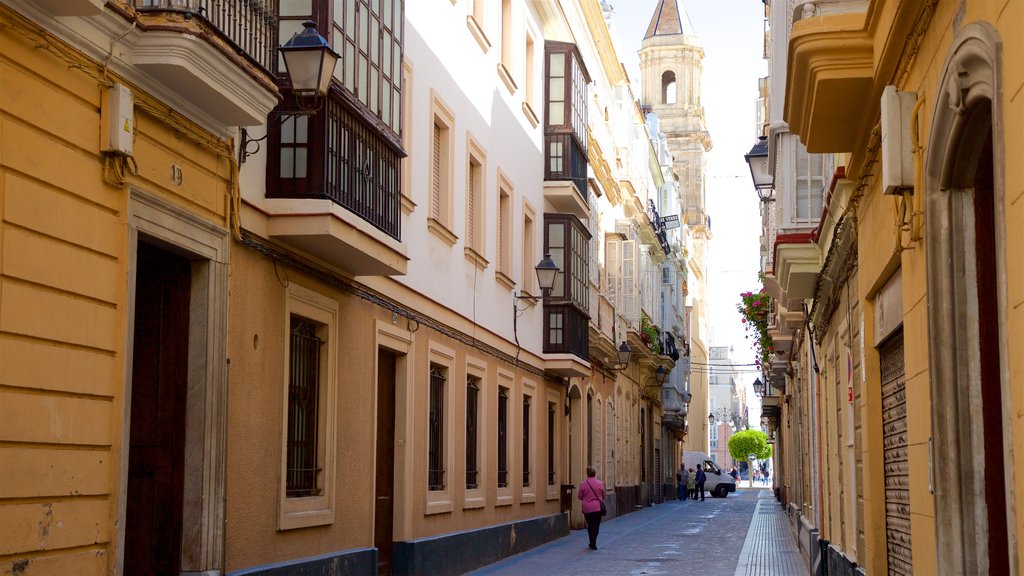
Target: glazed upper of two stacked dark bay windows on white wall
x=566 y=127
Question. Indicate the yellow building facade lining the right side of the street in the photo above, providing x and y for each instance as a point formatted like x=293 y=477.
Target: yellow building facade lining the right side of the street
x=905 y=387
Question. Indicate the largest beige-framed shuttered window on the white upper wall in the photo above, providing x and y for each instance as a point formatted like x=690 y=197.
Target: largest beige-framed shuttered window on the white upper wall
x=442 y=153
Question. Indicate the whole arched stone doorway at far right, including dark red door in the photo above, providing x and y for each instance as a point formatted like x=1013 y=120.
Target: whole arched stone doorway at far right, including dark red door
x=967 y=300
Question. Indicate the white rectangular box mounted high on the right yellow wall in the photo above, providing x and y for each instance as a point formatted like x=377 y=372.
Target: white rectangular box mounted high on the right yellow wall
x=898 y=147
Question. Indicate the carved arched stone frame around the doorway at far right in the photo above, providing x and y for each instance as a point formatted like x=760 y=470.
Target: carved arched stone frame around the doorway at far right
x=971 y=80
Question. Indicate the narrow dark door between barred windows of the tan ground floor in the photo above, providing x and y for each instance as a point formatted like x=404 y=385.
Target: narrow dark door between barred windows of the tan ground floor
x=385 y=508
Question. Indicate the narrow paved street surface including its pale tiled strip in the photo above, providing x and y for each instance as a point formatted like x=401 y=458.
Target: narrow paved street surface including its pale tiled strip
x=744 y=536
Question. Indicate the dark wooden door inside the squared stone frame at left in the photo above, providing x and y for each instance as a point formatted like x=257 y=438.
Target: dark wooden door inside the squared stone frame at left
x=156 y=454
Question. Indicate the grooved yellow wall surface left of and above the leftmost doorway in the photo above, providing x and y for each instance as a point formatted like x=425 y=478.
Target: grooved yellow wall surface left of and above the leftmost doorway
x=64 y=270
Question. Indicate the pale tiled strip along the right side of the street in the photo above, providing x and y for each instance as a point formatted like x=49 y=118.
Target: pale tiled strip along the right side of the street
x=771 y=548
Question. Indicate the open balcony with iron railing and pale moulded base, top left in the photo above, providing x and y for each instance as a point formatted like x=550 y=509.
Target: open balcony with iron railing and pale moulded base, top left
x=215 y=56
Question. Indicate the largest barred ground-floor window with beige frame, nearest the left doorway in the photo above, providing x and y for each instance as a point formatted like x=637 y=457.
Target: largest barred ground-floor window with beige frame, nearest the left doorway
x=308 y=460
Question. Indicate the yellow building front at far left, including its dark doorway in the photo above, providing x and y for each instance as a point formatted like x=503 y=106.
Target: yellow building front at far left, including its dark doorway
x=113 y=298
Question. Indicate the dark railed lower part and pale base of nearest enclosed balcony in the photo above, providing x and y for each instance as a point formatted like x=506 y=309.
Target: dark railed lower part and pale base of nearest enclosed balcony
x=344 y=205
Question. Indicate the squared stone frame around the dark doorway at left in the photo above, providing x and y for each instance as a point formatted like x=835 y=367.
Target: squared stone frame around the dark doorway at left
x=206 y=245
